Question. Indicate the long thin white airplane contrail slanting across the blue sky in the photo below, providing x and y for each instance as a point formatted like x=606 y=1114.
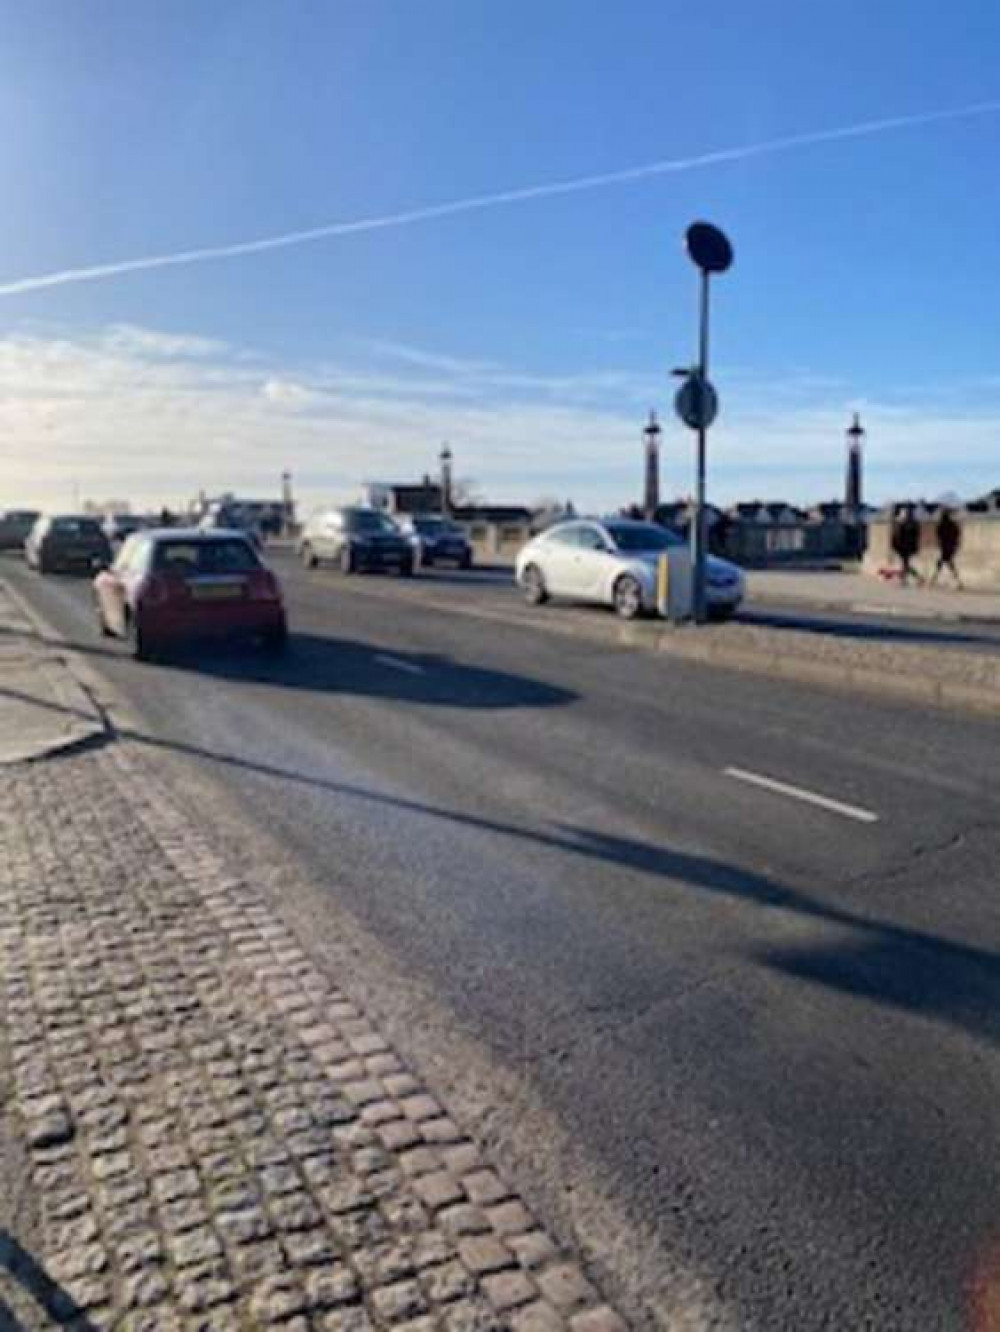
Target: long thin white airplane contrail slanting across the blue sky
x=477 y=203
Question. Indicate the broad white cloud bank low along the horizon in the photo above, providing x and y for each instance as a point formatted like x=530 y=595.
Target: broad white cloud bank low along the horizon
x=160 y=418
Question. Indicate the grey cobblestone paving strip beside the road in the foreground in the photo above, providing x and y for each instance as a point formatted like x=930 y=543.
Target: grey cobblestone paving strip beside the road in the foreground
x=219 y=1138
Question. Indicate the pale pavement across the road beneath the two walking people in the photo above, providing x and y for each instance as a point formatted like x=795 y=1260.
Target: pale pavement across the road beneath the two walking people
x=866 y=595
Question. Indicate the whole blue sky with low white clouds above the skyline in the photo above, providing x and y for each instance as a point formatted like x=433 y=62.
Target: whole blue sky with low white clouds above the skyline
x=533 y=336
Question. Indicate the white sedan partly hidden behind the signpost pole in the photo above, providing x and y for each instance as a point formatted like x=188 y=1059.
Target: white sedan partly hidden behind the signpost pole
x=613 y=563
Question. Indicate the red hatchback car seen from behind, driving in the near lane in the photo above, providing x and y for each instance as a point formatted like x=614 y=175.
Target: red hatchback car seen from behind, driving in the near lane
x=170 y=587
